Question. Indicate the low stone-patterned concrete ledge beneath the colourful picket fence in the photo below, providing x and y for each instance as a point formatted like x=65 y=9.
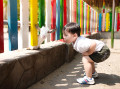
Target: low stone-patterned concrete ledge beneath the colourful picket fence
x=21 y=68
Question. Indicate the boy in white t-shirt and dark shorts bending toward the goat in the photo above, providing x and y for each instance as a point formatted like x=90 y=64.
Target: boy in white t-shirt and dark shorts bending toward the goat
x=92 y=51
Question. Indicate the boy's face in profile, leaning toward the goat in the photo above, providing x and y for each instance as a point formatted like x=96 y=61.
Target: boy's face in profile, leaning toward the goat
x=69 y=37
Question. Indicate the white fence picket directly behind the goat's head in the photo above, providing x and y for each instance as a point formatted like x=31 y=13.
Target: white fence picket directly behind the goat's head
x=48 y=18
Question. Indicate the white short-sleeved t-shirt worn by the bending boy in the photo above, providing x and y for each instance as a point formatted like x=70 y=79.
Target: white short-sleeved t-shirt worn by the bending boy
x=82 y=44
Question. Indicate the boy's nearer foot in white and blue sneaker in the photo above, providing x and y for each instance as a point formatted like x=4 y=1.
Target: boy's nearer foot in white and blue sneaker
x=86 y=80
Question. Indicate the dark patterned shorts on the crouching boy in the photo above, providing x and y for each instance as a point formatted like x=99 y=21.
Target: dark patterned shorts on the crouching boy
x=101 y=55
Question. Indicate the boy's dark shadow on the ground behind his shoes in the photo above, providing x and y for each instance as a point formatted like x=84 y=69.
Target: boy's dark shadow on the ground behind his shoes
x=108 y=79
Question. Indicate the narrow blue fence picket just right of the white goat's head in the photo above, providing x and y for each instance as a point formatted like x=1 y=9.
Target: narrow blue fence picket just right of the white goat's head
x=57 y=19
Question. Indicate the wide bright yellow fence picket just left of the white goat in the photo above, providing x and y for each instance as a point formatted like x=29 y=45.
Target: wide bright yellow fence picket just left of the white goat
x=34 y=20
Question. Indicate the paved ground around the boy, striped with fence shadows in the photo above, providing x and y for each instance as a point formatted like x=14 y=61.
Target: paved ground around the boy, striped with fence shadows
x=65 y=77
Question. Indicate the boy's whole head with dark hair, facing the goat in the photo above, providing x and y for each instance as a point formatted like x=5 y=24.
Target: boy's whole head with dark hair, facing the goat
x=70 y=32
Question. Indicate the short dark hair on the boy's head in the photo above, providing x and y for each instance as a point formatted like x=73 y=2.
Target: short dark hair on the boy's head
x=72 y=28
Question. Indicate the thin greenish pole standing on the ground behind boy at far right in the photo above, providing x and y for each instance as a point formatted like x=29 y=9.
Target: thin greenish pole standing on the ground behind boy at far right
x=112 y=32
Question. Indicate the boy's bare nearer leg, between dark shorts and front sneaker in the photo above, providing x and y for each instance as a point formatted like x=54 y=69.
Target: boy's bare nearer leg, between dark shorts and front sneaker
x=88 y=66
